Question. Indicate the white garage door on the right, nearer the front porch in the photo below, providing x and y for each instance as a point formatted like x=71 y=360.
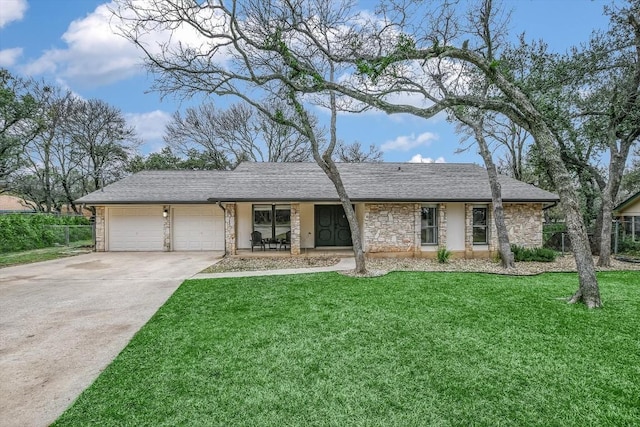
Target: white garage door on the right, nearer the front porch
x=198 y=228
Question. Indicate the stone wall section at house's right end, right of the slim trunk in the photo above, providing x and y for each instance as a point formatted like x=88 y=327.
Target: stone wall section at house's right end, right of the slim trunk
x=524 y=223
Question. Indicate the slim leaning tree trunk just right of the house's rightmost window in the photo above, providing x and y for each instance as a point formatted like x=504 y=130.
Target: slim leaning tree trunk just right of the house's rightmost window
x=504 y=247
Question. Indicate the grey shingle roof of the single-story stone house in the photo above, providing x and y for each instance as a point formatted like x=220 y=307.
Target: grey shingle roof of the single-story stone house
x=423 y=182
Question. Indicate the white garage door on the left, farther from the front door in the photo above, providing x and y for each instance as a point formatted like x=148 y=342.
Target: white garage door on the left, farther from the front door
x=136 y=229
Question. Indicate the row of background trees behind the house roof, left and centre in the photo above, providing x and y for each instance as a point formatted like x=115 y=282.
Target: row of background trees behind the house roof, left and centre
x=56 y=147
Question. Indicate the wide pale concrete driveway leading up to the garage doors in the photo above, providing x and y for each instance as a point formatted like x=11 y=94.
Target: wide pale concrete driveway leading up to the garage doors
x=62 y=322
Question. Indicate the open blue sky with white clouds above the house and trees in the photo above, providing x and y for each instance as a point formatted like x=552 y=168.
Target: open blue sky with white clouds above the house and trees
x=68 y=42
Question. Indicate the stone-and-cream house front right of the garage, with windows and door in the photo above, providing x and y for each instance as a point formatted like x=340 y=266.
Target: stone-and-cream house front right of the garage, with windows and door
x=387 y=229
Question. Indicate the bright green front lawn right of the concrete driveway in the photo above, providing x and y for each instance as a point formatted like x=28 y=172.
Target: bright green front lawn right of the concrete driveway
x=406 y=349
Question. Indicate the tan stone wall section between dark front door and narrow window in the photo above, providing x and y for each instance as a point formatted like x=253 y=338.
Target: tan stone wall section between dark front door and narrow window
x=391 y=227
